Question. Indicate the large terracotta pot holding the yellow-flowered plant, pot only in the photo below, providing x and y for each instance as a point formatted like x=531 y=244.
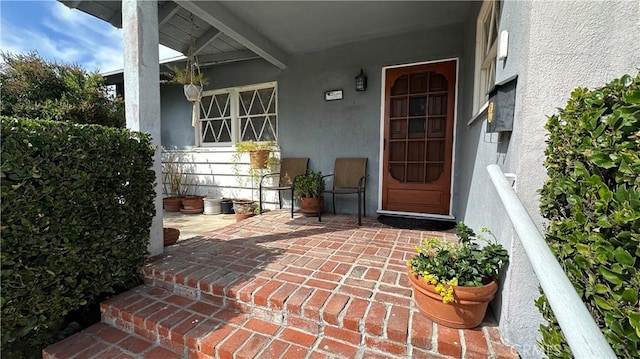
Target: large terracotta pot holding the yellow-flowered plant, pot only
x=467 y=310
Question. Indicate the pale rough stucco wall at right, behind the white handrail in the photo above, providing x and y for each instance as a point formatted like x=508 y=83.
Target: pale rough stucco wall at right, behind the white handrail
x=553 y=48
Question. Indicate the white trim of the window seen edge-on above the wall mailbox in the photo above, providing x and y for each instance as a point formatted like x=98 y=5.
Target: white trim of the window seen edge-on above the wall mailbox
x=482 y=60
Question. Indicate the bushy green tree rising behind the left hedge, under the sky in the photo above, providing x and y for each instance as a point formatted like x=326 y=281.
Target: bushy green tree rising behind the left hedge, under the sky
x=36 y=88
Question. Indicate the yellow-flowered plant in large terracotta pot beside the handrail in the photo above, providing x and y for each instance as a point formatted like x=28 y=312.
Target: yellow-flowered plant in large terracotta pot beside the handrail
x=454 y=282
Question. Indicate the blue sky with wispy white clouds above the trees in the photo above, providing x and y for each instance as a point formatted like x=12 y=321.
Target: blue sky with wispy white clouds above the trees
x=62 y=34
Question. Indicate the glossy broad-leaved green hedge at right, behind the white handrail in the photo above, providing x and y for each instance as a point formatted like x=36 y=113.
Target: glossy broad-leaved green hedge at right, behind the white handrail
x=592 y=200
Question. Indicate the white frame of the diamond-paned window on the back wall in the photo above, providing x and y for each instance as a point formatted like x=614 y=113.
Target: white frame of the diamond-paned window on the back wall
x=234 y=113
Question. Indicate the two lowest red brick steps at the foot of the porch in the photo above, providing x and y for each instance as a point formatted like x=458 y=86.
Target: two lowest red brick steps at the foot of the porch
x=148 y=320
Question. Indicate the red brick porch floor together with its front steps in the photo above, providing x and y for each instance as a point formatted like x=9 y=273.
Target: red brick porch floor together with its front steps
x=276 y=287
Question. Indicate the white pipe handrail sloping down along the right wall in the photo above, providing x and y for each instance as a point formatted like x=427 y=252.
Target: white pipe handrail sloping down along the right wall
x=582 y=333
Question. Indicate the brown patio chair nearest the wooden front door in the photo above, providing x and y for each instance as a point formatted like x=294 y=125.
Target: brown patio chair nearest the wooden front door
x=350 y=177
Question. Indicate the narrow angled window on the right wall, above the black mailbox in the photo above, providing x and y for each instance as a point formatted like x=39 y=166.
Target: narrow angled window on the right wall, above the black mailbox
x=486 y=52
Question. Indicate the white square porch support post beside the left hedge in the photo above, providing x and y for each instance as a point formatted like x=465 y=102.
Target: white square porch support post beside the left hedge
x=142 y=89
